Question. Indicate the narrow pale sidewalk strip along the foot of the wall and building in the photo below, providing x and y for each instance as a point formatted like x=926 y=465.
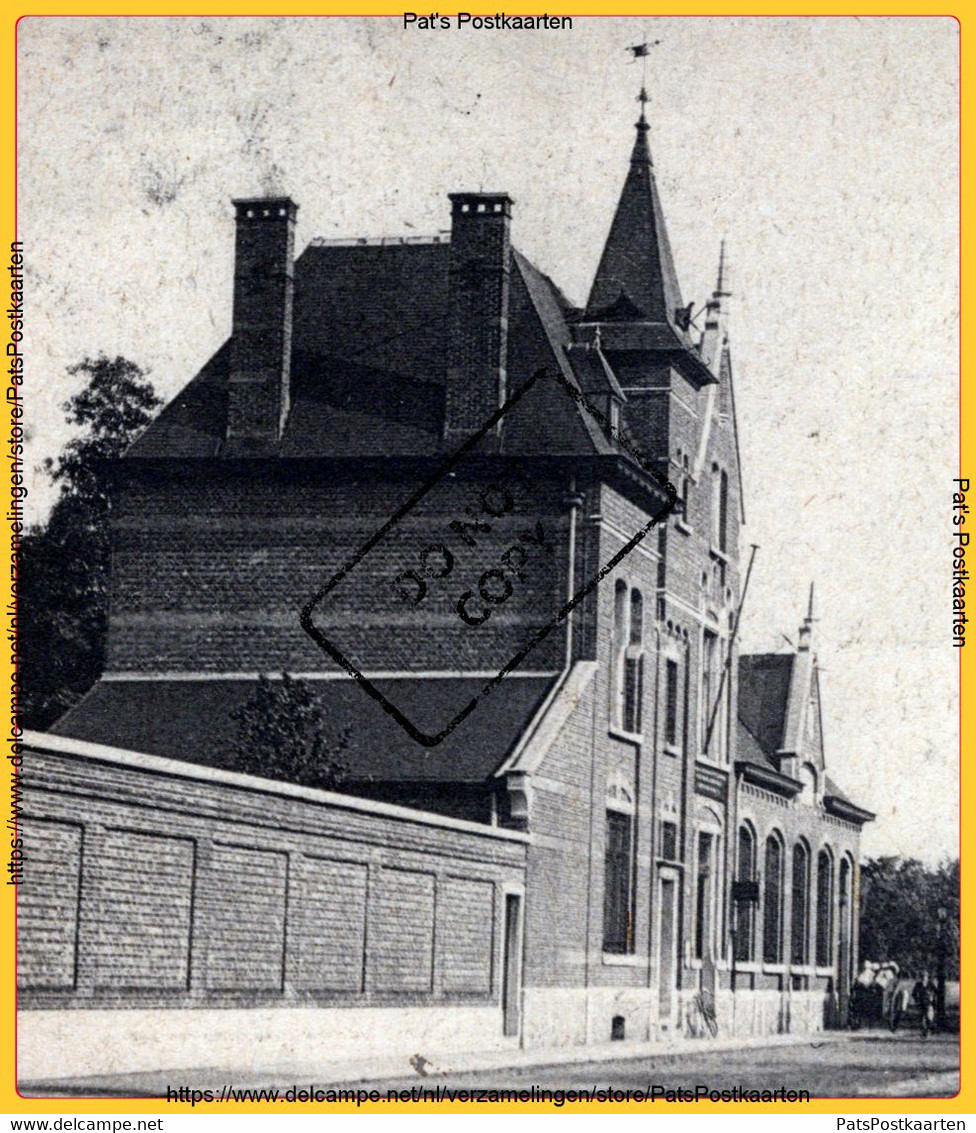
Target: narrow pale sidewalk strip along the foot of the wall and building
x=155 y=1084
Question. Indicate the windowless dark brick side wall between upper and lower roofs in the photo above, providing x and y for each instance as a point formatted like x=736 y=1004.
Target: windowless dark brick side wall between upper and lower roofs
x=213 y=576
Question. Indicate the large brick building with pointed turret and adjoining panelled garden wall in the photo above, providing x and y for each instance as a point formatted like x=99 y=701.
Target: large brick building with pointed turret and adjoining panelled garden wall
x=633 y=824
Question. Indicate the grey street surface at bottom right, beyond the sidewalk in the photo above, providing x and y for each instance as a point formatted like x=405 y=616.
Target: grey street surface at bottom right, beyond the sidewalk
x=902 y=1066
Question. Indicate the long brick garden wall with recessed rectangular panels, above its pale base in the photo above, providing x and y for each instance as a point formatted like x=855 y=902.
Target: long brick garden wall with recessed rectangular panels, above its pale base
x=149 y=884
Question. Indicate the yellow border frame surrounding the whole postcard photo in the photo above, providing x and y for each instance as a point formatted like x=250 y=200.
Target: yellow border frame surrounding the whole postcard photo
x=11 y=1102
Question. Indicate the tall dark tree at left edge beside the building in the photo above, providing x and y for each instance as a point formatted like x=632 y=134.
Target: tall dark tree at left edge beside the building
x=64 y=565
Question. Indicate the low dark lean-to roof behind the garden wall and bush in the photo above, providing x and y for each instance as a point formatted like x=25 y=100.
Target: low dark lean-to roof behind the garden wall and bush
x=192 y=721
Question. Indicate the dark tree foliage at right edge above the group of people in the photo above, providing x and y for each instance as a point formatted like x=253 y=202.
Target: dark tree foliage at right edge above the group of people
x=899 y=913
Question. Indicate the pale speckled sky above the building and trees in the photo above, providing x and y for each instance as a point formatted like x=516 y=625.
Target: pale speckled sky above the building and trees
x=825 y=150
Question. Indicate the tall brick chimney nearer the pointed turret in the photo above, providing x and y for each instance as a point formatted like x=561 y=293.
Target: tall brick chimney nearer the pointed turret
x=478 y=321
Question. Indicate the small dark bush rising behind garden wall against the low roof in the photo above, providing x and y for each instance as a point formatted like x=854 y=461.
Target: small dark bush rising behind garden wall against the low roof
x=283 y=734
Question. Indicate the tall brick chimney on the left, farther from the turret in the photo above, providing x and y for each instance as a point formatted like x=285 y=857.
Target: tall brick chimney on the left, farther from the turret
x=261 y=344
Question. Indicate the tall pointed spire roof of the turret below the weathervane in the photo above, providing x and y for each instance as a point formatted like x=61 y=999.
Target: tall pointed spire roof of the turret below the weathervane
x=636 y=278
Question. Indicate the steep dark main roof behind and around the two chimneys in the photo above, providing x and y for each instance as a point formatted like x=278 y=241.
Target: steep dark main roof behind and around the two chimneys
x=369 y=364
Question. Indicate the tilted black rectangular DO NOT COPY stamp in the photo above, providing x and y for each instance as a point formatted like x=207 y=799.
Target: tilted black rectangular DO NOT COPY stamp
x=481 y=566
